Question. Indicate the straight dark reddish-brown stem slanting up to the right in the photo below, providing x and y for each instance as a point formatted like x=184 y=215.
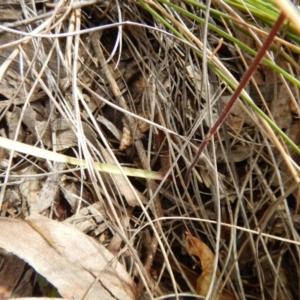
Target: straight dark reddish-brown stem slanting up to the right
x=236 y=93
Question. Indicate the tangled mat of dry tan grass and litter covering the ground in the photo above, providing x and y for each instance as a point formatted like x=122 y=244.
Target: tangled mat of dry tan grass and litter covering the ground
x=156 y=98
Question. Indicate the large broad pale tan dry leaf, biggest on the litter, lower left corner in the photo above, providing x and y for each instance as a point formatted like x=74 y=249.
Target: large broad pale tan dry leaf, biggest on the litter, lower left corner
x=73 y=262
